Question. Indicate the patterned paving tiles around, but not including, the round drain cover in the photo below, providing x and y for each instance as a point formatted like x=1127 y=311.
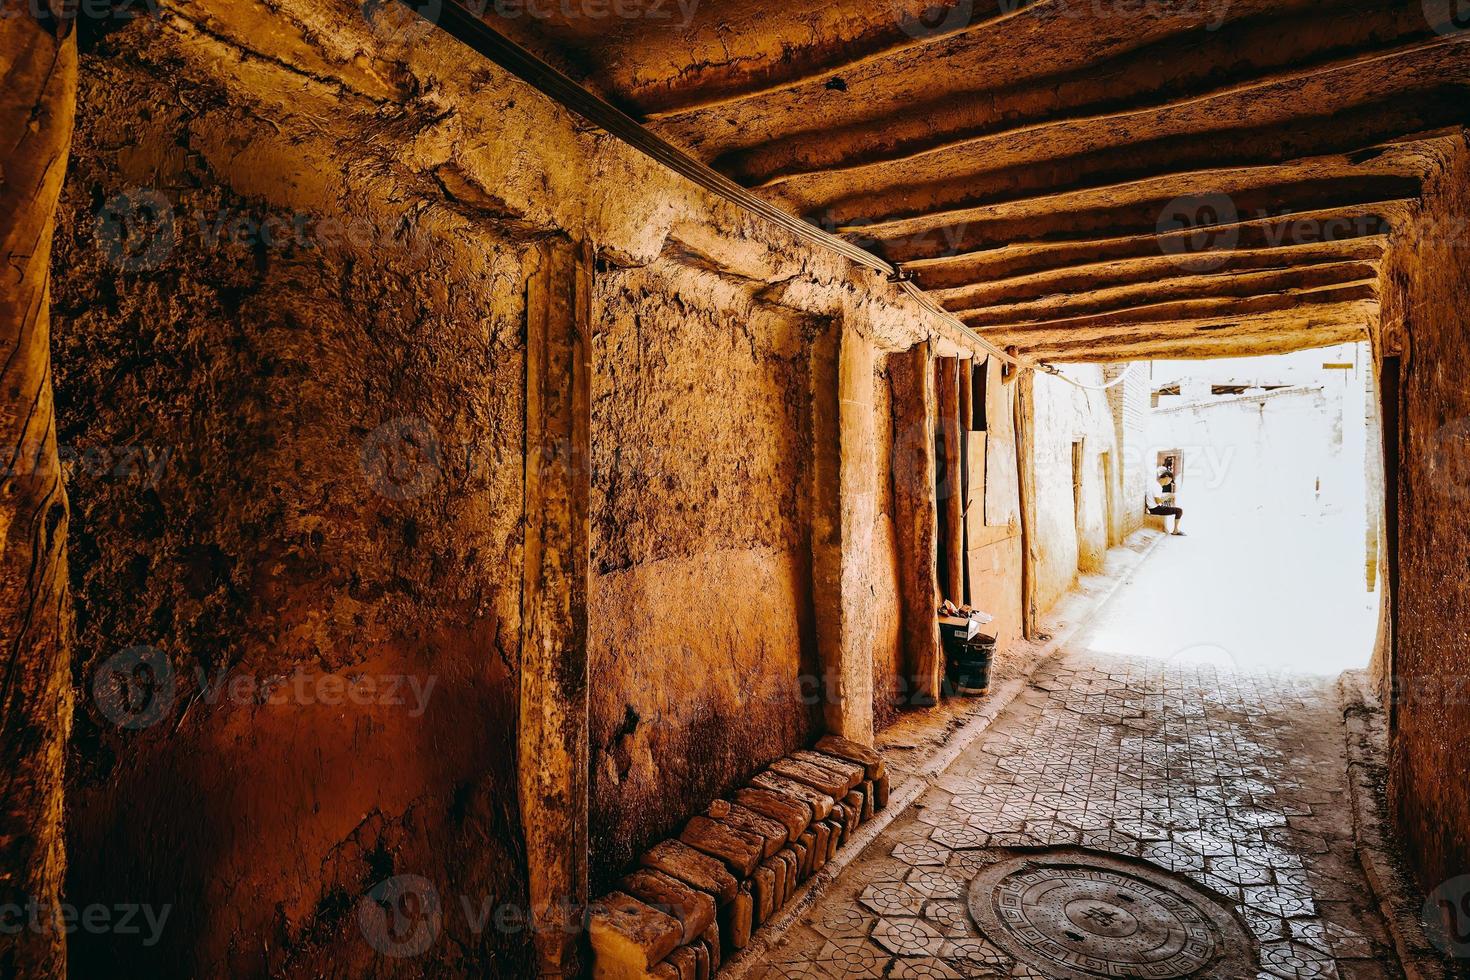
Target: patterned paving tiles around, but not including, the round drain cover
x=1233 y=781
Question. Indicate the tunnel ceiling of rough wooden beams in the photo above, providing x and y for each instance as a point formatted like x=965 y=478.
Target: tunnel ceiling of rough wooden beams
x=1044 y=168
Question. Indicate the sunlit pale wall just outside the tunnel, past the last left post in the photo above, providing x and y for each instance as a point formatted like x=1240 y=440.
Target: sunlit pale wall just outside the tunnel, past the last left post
x=1065 y=415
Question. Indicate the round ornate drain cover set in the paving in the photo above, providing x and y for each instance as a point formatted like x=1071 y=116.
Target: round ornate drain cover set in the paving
x=1078 y=916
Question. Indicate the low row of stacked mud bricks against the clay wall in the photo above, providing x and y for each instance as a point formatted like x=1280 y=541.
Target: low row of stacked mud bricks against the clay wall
x=699 y=897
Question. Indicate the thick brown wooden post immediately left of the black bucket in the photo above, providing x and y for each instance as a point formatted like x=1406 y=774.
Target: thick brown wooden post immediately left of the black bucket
x=917 y=519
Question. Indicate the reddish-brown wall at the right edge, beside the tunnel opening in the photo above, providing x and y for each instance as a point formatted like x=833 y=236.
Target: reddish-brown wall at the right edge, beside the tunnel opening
x=1428 y=292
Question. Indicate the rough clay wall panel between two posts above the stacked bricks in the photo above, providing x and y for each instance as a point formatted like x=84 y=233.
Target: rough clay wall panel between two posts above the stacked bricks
x=702 y=609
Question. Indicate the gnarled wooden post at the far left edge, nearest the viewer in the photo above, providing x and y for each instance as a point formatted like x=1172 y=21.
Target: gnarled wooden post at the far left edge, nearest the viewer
x=37 y=108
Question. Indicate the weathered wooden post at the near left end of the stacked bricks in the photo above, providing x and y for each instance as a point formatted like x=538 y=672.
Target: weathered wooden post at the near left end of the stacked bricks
x=553 y=737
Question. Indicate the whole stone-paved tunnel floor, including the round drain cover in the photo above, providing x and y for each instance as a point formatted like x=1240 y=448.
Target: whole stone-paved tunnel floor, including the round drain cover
x=1212 y=791
